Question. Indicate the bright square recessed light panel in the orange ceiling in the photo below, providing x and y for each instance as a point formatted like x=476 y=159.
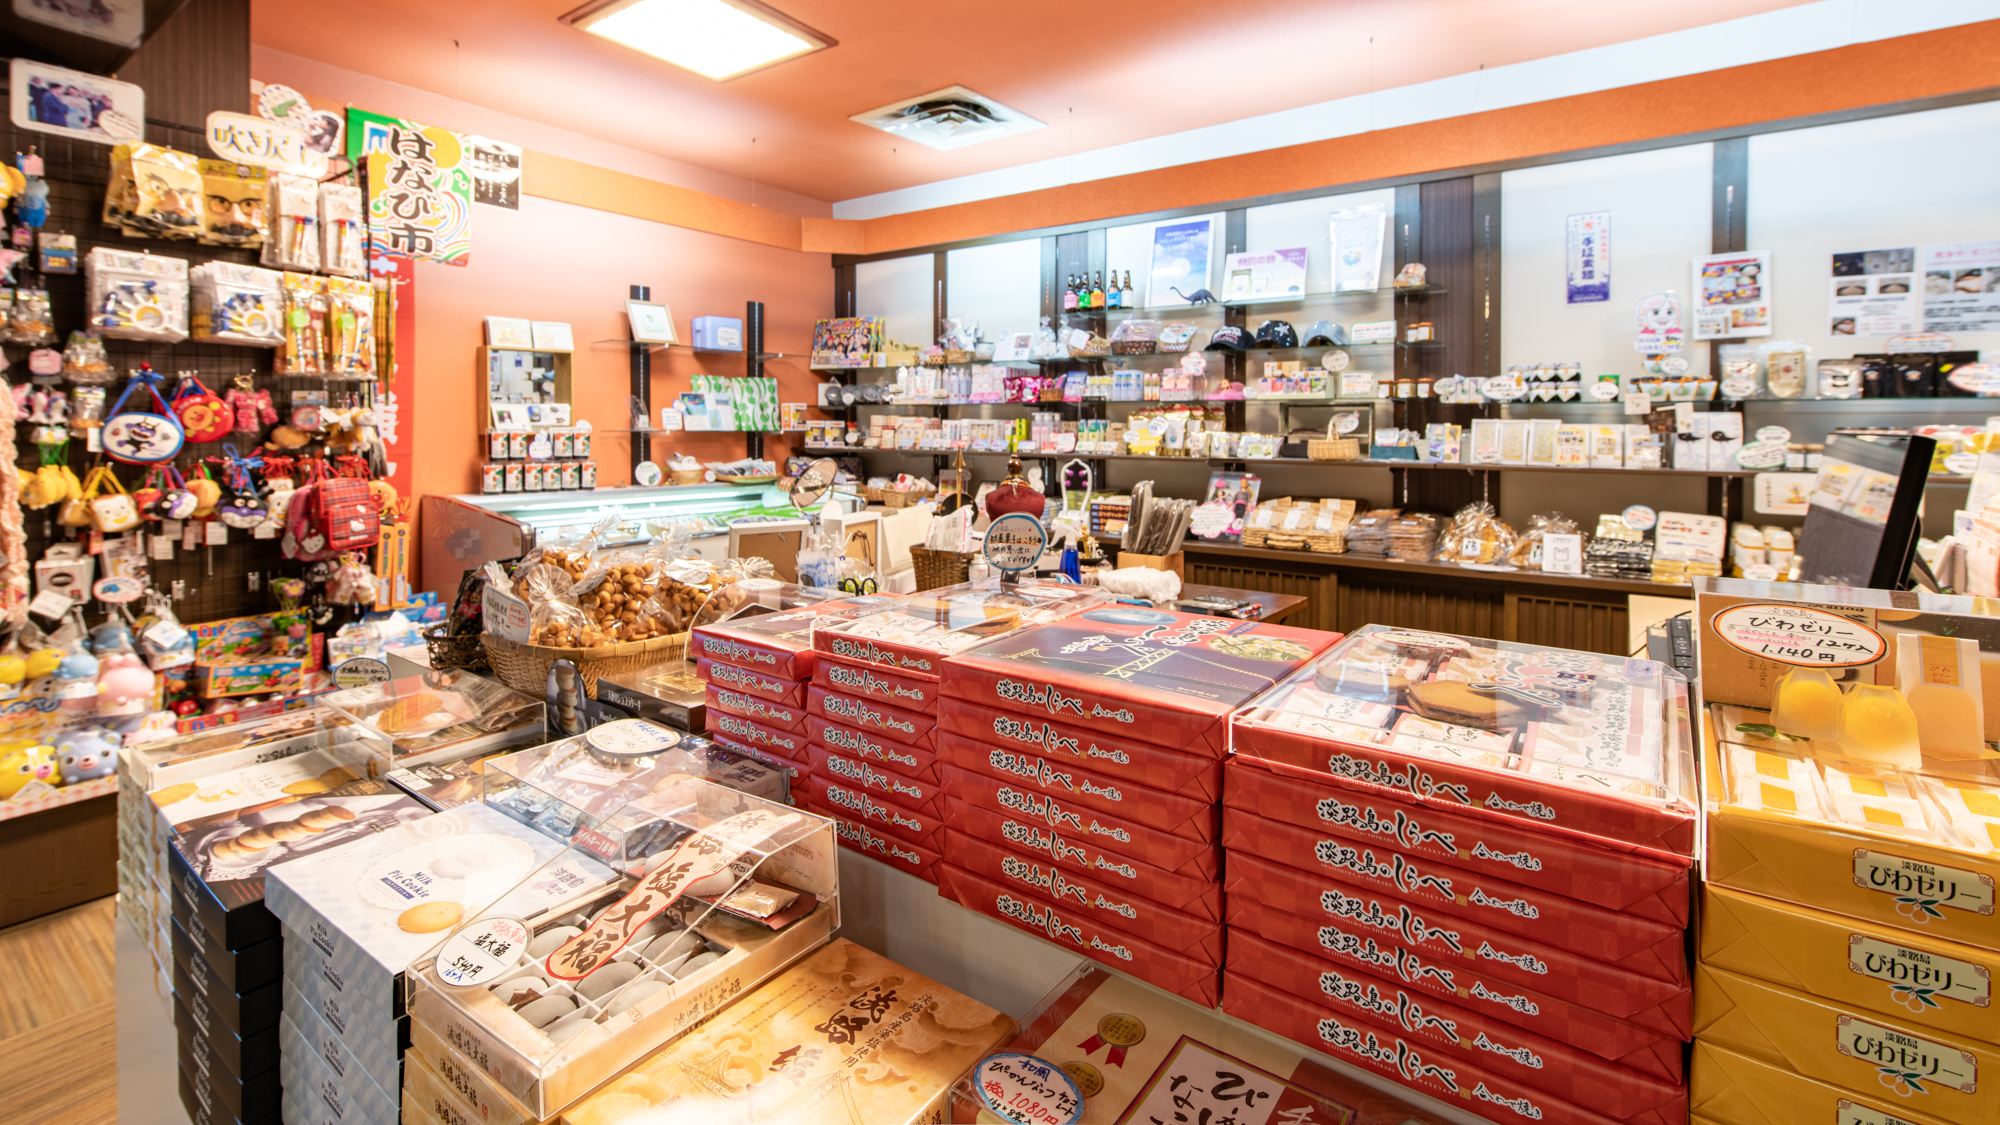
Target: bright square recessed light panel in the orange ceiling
x=717 y=39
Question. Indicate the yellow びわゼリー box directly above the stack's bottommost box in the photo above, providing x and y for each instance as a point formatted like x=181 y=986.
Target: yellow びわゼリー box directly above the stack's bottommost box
x=1863 y=1052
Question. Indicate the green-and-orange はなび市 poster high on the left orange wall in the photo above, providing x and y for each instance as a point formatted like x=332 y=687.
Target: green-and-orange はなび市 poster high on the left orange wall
x=419 y=185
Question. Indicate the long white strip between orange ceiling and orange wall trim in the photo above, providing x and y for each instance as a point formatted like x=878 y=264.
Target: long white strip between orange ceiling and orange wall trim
x=1765 y=37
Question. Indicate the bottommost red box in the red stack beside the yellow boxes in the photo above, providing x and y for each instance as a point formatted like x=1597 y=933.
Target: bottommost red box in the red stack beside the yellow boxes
x=1409 y=1062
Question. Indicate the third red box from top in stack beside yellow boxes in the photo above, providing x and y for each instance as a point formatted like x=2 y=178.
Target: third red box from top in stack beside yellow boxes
x=1299 y=864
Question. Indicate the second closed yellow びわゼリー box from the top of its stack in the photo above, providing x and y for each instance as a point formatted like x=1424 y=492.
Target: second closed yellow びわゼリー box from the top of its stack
x=1921 y=982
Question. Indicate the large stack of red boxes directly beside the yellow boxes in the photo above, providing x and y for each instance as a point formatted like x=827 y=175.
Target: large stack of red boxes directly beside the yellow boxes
x=1467 y=866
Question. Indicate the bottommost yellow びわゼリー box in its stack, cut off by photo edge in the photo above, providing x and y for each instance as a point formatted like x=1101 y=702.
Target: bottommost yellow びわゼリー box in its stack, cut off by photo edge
x=1737 y=1090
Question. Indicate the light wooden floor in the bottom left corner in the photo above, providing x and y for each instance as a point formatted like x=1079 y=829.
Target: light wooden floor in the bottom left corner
x=59 y=1018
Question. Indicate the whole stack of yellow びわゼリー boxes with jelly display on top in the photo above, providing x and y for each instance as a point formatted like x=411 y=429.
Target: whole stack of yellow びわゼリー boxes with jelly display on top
x=1849 y=940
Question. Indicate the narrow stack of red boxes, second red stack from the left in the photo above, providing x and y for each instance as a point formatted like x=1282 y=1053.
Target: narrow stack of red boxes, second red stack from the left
x=873 y=704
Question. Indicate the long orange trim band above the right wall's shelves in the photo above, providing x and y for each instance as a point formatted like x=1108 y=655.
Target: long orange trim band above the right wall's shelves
x=1855 y=77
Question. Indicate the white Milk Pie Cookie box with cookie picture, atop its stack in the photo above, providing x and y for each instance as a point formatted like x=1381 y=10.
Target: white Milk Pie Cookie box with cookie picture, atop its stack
x=361 y=914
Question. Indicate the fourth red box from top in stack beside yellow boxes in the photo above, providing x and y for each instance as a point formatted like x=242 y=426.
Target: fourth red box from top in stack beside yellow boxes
x=1347 y=920
